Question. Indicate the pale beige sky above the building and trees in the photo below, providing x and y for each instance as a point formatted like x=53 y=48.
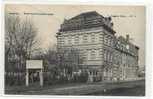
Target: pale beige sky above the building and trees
x=47 y=19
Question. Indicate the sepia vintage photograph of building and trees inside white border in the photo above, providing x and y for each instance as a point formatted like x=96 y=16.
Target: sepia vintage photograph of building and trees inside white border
x=91 y=50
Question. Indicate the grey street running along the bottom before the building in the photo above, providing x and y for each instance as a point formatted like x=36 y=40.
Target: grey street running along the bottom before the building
x=130 y=88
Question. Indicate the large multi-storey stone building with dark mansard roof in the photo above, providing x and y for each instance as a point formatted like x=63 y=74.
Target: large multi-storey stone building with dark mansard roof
x=105 y=55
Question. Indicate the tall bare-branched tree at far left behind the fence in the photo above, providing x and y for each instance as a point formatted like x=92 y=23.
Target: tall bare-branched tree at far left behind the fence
x=20 y=40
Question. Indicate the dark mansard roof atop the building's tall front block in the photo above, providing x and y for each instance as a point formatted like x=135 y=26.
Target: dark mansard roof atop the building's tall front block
x=87 y=20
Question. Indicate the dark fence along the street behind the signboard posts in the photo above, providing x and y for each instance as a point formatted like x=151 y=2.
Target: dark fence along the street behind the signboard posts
x=50 y=78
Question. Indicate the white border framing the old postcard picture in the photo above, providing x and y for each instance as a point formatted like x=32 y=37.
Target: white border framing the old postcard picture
x=148 y=36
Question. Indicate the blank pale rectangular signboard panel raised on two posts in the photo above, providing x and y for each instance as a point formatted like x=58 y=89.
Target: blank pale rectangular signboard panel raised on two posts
x=34 y=64
